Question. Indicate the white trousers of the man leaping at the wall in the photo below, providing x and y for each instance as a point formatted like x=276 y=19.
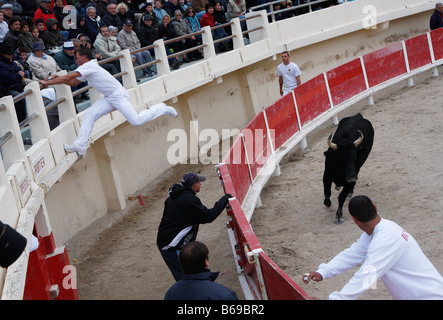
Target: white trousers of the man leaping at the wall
x=103 y=106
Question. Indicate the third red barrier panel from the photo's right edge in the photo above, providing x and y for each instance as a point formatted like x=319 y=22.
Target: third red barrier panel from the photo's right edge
x=385 y=64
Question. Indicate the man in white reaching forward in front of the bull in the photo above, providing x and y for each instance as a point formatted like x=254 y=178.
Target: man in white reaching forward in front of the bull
x=386 y=252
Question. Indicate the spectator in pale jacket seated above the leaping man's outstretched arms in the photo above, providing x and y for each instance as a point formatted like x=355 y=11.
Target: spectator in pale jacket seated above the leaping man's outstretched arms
x=42 y=64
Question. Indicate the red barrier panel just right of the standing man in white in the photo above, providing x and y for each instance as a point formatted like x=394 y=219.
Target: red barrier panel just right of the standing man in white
x=312 y=99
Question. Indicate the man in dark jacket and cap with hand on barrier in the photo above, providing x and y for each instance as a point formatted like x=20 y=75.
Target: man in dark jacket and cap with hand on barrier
x=182 y=215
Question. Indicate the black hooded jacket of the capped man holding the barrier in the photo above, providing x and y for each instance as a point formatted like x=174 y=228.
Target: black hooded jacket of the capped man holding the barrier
x=182 y=214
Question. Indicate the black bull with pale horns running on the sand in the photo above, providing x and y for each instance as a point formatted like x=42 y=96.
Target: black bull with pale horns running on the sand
x=347 y=152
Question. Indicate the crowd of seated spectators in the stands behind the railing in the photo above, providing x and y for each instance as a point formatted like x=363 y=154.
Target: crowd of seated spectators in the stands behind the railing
x=37 y=36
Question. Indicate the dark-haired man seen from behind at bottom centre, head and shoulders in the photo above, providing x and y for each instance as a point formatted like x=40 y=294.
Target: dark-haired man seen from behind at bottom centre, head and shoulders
x=198 y=282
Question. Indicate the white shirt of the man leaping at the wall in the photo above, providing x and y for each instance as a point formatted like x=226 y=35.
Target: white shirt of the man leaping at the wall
x=100 y=79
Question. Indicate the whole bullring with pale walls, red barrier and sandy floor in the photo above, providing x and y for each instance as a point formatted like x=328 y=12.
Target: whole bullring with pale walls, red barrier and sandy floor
x=103 y=211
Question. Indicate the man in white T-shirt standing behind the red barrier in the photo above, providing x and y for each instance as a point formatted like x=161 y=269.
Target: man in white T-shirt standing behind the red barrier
x=288 y=74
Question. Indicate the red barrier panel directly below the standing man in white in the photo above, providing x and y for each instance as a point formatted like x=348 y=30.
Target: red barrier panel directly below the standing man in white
x=282 y=118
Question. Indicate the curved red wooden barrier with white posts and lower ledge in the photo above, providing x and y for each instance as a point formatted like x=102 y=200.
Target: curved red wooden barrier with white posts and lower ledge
x=258 y=149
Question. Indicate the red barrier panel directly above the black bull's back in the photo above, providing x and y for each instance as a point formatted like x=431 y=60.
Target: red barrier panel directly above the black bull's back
x=346 y=81
